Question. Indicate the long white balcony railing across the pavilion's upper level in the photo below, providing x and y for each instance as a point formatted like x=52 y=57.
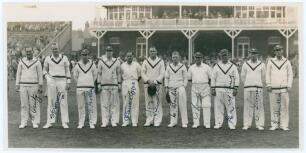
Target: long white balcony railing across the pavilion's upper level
x=248 y=23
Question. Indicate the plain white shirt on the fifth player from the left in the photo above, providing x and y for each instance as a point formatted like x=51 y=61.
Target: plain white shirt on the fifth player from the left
x=130 y=71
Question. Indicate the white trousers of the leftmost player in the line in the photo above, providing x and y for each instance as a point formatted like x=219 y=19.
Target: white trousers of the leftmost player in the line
x=30 y=104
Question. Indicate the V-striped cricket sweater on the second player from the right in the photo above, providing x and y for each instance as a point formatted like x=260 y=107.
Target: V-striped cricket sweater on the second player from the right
x=252 y=74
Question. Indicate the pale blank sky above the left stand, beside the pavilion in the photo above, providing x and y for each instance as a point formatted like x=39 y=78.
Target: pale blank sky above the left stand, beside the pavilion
x=77 y=12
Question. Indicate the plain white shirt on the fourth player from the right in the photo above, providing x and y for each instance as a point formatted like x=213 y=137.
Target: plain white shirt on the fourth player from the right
x=199 y=74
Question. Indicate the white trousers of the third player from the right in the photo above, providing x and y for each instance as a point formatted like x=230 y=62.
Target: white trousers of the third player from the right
x=225 y=98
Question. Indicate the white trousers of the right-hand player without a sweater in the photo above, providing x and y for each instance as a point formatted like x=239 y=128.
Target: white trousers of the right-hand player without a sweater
x=200 y=100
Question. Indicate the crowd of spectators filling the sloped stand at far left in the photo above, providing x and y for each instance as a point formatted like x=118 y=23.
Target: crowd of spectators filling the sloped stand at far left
x=35 y=34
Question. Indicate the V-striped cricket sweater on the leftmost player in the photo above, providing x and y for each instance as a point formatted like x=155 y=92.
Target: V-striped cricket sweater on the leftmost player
x=29 y=72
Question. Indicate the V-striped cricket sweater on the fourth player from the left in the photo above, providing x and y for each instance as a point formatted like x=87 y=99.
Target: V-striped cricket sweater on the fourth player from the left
x=109 y=72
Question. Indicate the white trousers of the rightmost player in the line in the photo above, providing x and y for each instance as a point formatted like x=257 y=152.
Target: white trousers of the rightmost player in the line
x=279 y=104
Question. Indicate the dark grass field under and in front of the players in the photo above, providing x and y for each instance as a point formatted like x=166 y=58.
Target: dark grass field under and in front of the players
x=150 y=137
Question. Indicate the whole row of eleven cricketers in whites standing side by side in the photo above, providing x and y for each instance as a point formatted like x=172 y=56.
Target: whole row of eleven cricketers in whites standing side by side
x=115 y=76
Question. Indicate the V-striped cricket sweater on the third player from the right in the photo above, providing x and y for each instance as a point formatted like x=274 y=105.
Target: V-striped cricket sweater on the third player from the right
x=225 y=76
